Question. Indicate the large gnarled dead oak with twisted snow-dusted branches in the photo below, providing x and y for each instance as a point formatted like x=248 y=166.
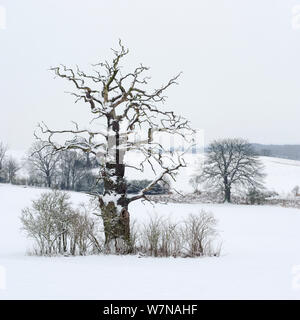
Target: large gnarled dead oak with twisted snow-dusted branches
x=122 y=109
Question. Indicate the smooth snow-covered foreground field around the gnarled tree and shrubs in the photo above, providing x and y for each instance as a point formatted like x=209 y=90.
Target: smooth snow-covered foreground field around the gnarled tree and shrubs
x=261 y=245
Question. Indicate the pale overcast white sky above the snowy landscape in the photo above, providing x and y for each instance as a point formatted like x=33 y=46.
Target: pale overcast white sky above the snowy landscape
x=240 y=62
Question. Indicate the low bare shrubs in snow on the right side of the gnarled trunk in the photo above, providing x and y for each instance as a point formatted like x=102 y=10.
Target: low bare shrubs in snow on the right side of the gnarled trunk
x=193 y=237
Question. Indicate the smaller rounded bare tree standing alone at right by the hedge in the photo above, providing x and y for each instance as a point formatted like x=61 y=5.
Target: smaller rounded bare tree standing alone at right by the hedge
x=232 y=162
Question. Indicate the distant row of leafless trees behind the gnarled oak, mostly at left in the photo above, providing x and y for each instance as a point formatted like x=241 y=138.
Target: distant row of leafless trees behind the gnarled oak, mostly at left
x=66 y=170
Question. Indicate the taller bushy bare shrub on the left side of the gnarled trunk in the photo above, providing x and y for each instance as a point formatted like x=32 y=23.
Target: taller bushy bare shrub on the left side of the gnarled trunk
x=57 y=228
